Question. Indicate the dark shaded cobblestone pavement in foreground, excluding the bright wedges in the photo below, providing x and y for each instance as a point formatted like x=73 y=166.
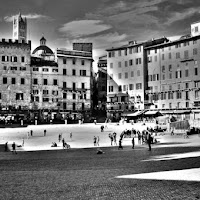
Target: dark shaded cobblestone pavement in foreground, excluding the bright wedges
x=83 y=174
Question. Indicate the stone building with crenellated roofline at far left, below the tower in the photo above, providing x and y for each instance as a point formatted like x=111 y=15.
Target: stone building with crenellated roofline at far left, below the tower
x=15 y=76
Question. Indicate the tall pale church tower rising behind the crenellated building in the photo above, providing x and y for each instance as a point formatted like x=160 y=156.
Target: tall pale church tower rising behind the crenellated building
x=19 y=28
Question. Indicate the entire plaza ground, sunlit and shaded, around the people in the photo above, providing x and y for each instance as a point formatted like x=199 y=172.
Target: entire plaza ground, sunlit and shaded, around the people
x=38 y=171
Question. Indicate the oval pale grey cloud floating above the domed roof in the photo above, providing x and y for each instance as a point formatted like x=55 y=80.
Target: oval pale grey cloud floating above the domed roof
x=80 y=28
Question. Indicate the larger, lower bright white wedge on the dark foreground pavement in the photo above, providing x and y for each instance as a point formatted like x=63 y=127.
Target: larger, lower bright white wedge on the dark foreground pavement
x=179 y=175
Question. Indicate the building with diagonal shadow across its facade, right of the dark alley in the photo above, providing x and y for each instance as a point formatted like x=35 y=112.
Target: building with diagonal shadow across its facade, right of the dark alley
x=127 y=77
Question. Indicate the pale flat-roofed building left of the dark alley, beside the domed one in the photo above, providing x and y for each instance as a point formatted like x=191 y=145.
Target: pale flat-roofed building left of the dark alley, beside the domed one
x=75 y=71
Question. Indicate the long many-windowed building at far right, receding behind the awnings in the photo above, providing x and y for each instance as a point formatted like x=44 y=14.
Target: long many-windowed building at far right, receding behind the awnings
x=173 y=75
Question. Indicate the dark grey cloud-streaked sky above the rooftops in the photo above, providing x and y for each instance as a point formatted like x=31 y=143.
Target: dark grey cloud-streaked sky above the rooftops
x=105 y=23
